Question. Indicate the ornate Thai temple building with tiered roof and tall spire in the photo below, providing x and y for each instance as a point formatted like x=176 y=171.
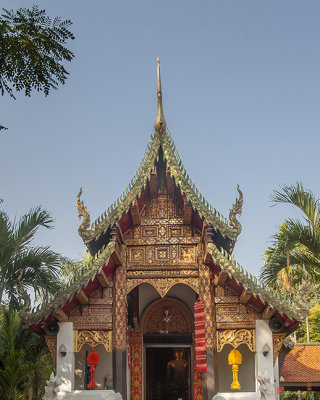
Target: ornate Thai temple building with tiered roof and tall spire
x=163 y=311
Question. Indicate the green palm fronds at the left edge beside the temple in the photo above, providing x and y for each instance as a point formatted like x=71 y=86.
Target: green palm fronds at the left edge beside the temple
x=23 y=266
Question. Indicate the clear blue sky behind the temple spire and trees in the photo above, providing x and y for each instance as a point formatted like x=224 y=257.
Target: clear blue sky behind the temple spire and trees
x=241 y=98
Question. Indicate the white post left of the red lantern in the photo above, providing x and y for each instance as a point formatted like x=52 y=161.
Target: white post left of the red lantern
x=65 y=362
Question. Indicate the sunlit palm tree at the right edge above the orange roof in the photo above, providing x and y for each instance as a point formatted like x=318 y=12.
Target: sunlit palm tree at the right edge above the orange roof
x=293 y=260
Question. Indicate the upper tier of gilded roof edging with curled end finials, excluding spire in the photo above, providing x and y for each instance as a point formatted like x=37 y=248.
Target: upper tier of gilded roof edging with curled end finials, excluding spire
x=230 y=228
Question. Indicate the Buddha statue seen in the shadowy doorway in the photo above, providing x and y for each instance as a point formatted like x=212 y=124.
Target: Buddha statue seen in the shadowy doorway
x=177 y=376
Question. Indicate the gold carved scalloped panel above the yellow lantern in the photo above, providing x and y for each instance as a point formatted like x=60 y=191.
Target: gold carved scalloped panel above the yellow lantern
x=236 y=337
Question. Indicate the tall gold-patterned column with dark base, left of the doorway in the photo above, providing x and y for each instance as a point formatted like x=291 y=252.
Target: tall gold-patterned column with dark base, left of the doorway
x=120 y=319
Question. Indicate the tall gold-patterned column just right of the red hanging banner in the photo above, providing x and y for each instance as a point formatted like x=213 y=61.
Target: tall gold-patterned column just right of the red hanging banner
x=207 y=295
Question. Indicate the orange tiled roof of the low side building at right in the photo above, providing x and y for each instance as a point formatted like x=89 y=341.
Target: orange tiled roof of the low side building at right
x=302 y=364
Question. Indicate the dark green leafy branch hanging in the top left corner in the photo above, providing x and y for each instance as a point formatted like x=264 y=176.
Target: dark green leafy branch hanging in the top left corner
x=32 y=51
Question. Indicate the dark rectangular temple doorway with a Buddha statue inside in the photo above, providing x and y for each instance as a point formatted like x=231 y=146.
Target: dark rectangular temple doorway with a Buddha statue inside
x=168 y=373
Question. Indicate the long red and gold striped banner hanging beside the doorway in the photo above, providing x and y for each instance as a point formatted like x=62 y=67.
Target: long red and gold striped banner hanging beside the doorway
x=200 y=337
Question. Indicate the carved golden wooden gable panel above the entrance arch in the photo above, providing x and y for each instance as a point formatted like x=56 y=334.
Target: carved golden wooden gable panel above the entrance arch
x=162 y=246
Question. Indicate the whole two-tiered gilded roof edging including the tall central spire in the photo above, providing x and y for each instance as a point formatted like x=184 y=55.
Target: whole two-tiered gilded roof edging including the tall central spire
x=102 y=259
